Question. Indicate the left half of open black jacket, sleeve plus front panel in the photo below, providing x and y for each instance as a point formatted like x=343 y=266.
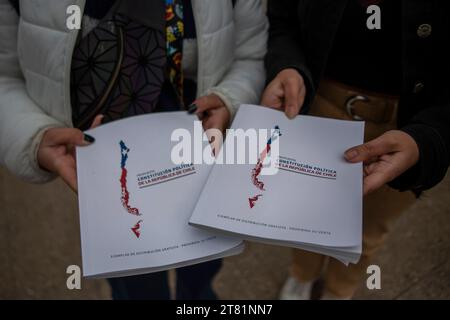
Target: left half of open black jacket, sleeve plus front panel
x=301 y=36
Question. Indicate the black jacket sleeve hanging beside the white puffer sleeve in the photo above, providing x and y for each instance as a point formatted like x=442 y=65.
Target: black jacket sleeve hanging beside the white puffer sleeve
x=284 y=50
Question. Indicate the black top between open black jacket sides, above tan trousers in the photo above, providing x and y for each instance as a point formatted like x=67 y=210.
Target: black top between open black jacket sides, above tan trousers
x=365 y=58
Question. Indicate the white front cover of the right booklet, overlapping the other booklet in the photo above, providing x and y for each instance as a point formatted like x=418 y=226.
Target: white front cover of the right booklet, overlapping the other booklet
x=294 y=207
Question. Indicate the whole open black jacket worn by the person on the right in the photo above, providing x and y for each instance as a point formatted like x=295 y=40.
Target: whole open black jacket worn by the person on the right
x=302 y=35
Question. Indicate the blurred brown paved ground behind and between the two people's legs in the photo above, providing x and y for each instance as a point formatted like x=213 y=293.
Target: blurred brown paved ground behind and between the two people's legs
x=39 y=238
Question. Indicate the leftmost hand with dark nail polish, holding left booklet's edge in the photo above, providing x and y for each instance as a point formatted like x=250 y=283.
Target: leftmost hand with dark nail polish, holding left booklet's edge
x=56 y=151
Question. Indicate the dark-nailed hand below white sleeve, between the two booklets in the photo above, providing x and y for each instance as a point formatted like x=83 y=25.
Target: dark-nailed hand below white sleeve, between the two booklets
x=214 y=115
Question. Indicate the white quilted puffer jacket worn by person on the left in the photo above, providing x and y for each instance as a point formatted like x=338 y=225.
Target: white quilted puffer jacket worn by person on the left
x=36 y=53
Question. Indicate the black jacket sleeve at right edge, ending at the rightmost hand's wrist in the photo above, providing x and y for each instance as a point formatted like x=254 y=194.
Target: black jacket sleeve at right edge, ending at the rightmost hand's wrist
x=431 y=130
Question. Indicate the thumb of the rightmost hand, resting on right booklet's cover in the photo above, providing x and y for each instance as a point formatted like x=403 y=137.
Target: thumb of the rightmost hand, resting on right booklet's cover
x=369 y=150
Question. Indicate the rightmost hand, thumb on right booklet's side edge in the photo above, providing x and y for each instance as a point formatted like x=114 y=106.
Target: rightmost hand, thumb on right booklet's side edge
x=384 y=158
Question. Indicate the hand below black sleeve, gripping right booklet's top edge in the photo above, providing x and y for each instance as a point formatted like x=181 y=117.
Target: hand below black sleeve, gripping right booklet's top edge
x=286 y=92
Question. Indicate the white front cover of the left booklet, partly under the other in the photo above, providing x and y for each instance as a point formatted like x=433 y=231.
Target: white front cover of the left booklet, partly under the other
x=159 y=208
